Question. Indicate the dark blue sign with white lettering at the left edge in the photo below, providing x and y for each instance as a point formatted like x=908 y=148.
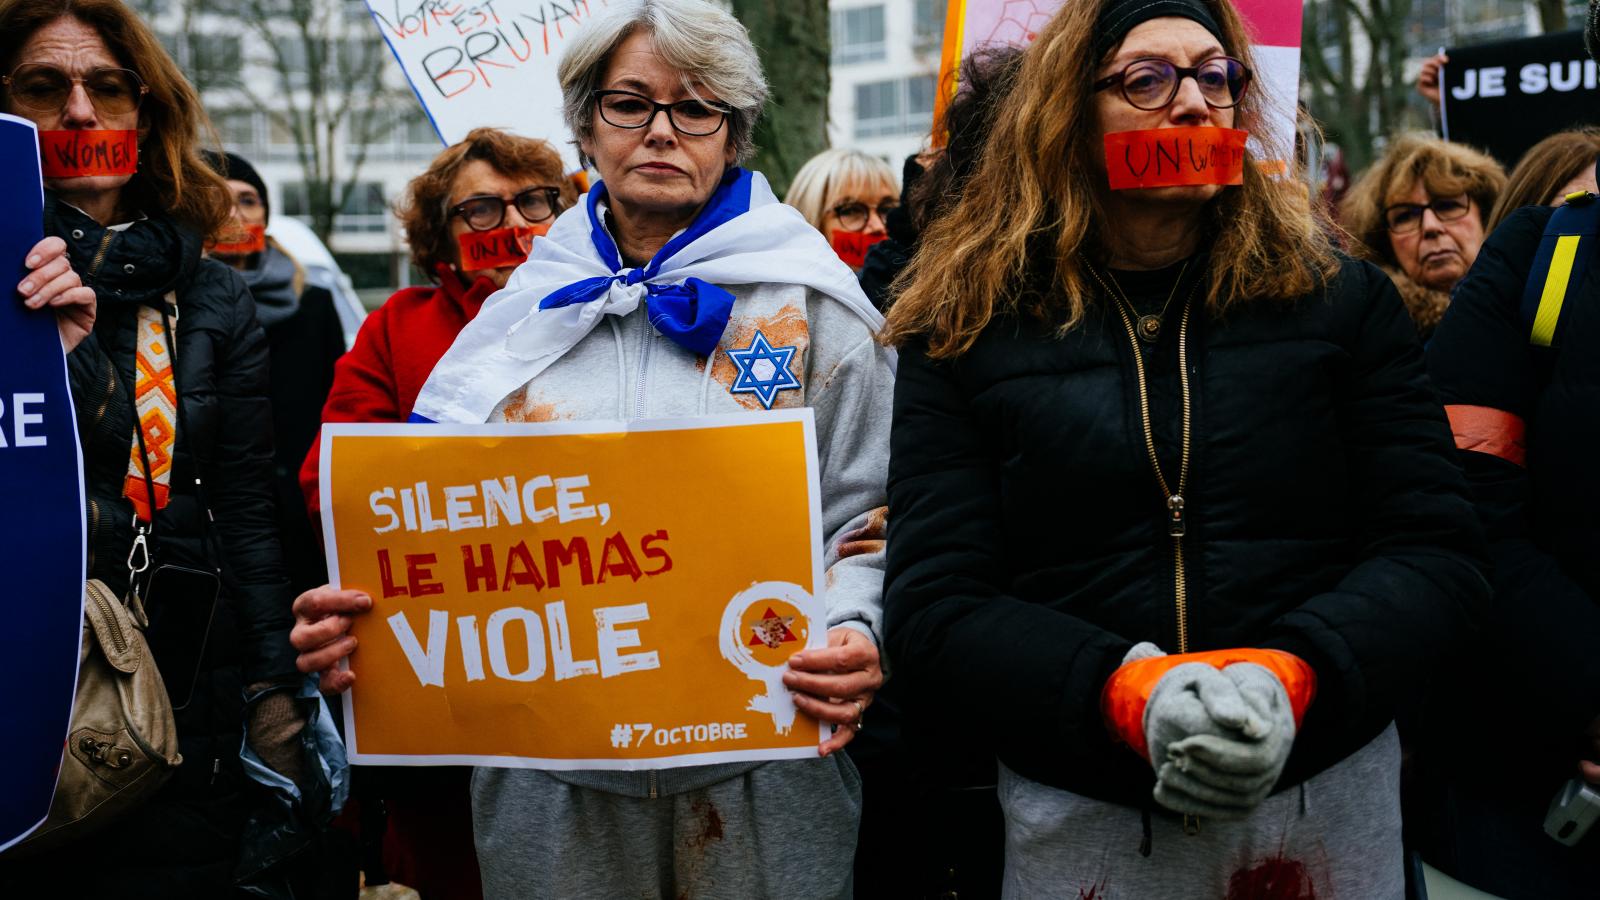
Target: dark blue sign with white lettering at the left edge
x=42 y=526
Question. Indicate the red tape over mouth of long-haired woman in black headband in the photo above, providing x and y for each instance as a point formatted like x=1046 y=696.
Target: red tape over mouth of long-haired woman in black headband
x=1169 y=158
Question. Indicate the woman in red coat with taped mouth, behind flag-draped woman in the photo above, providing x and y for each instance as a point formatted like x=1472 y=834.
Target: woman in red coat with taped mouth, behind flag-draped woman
x=492 y=190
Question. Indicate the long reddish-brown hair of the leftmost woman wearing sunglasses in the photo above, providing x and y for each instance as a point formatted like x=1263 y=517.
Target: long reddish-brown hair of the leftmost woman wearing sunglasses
x=172 y=175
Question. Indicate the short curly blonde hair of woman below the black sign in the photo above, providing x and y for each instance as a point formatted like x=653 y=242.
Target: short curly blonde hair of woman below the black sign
x=1441 y=167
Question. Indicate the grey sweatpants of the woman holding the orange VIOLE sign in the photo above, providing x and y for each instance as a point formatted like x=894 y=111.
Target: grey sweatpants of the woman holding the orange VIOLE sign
x=780 y=832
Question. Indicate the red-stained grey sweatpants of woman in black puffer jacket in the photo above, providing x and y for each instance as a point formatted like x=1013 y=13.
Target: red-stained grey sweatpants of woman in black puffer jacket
x=1334 y=838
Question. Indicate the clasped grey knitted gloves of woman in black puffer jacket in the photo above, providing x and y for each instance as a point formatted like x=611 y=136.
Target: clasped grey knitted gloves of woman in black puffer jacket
x=1228 y=771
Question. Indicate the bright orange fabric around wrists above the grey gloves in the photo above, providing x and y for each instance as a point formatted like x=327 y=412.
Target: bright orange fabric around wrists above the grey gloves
x=1129 y=689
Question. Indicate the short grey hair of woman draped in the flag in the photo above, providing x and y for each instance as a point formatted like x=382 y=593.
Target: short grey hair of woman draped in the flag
x=700 y=39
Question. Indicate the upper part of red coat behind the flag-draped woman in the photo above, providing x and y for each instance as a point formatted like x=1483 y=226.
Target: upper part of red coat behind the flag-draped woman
x=394 y=355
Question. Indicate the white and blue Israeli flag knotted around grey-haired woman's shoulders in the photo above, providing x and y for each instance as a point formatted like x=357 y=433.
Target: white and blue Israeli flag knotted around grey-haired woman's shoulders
x=575 y=276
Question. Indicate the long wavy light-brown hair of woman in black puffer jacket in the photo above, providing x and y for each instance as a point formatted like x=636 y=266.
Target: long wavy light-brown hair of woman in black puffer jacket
x=1033 y=195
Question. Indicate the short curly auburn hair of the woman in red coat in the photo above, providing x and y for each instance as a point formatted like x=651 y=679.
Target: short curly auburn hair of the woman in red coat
x=425 y=209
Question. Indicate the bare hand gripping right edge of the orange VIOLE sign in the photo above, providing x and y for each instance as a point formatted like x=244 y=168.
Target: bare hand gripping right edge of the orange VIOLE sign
x=836 y=685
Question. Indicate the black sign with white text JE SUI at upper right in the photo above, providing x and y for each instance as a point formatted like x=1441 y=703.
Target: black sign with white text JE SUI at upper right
x=1508 y=97
